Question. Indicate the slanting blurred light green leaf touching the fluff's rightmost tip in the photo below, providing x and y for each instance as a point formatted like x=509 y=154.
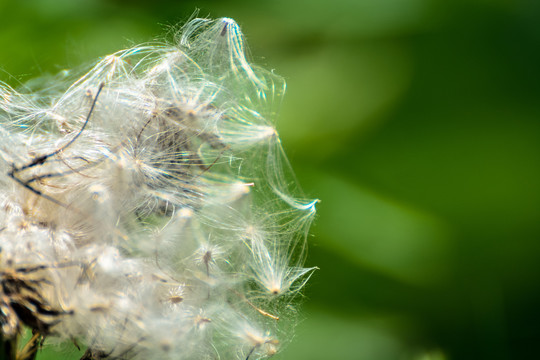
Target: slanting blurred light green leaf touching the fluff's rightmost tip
x=393 y=238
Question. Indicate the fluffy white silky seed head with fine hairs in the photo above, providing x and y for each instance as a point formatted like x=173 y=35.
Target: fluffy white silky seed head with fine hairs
x=148 y=211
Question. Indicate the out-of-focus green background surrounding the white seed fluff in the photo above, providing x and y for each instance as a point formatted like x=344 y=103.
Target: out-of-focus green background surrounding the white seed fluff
x=416 y=122
